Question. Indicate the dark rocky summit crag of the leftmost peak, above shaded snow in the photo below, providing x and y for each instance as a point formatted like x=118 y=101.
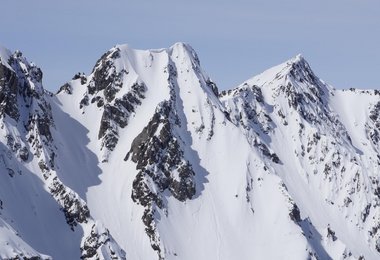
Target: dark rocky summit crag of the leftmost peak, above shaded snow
x=23 y=99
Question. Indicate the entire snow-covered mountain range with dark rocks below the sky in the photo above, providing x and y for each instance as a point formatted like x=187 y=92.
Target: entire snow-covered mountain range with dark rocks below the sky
x=144 y=159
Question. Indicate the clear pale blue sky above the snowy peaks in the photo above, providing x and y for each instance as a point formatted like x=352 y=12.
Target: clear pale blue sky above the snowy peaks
x=234 y=39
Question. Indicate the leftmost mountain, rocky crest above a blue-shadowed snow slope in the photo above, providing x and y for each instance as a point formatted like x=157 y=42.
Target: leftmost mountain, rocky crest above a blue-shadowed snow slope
x=38 y=213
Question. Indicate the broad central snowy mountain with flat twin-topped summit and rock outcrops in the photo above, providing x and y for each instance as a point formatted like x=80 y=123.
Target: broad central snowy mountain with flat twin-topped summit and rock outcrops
x=151 y=140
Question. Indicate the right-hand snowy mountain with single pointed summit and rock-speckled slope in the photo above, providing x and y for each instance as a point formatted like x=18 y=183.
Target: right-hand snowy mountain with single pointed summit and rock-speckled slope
x=327 y=149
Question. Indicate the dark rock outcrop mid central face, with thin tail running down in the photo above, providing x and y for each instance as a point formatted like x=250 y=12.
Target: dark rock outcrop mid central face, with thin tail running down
x=161 y=162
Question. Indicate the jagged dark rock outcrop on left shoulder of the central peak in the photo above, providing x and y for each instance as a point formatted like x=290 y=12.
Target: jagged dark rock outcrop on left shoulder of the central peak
x=105 y=82
